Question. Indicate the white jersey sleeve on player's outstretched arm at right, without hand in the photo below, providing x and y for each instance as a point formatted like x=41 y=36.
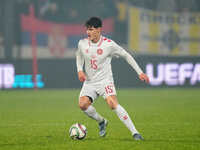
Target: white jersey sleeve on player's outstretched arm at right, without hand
x=118 y=51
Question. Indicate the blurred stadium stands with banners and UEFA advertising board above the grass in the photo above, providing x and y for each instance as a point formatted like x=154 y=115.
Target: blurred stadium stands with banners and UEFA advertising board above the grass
x=38 y=40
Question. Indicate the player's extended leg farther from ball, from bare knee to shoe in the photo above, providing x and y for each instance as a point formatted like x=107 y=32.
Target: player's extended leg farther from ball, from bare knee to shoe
x=123 y=116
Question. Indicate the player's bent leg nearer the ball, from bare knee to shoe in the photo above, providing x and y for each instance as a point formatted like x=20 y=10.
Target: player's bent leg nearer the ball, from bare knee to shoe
x=85 y=105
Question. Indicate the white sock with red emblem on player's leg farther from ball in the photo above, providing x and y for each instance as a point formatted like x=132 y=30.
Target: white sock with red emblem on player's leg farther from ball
x=124 y=117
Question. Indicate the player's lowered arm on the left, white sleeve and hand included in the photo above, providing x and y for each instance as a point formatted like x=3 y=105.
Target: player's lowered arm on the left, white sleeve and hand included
x=79 y=65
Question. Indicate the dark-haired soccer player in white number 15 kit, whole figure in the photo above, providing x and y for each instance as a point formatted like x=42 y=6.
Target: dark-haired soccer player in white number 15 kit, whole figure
x=93 y=59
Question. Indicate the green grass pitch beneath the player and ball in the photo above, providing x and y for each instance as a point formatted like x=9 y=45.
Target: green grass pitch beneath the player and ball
x=168 y=119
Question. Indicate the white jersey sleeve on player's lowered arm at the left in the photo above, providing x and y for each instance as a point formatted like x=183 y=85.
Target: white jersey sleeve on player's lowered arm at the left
x=79 y=58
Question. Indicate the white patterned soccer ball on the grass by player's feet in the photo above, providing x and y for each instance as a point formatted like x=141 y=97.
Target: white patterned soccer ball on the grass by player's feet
x=77 y=131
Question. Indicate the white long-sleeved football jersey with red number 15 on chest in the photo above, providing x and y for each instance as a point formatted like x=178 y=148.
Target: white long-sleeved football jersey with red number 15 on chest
x=97 y=58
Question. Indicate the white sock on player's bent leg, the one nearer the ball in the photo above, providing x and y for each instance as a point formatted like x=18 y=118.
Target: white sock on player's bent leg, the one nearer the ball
x=92 y=113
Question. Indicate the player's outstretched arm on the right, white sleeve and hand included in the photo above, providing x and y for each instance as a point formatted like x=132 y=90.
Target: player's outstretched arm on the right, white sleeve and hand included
x=119 y=51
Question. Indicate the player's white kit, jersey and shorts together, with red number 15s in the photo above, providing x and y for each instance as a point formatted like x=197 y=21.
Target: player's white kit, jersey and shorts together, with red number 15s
x=96 y=58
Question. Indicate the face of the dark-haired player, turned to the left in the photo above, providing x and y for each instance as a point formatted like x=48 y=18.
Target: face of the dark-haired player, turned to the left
x=93 y=34
